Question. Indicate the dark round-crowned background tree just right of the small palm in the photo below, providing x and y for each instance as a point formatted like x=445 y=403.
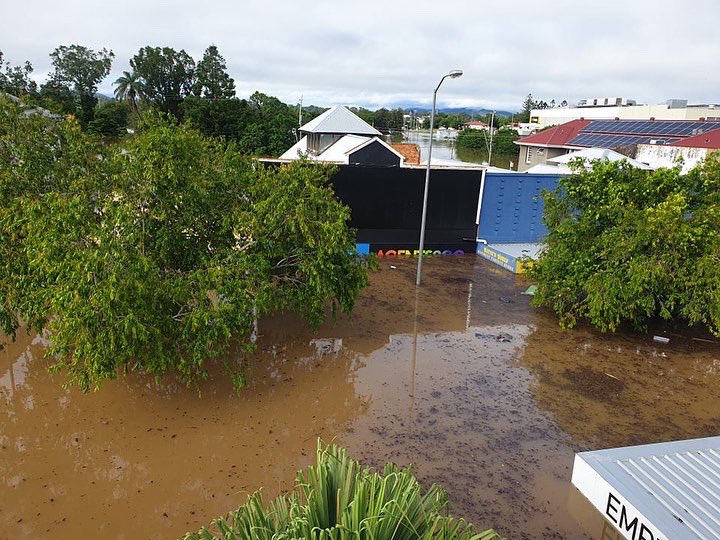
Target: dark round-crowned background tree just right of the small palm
x=166 y=75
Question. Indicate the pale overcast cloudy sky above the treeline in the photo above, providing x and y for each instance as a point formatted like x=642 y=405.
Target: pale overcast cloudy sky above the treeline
x=383 y=53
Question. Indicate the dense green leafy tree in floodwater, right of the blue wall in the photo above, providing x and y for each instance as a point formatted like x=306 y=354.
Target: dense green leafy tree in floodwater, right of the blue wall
x=628 y=246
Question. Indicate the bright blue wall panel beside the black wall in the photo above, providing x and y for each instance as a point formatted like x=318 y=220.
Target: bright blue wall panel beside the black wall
x=512 y=207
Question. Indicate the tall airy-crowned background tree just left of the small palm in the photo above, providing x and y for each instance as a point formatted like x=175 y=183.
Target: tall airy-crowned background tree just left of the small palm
x=81 y=70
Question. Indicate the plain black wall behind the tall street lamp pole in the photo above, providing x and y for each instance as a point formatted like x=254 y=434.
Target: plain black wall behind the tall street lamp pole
x=386 y=204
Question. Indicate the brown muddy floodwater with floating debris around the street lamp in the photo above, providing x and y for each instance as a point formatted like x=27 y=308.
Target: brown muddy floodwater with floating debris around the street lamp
x=479 y=391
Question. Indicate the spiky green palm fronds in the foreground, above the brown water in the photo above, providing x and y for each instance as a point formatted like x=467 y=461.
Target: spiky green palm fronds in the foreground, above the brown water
x=337 y=499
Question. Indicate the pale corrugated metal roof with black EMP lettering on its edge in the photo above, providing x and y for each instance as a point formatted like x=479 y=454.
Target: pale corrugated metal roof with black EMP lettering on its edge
x=670 y=490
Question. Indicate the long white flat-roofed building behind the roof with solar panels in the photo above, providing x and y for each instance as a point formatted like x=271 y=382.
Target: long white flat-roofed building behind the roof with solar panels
x=623 y=109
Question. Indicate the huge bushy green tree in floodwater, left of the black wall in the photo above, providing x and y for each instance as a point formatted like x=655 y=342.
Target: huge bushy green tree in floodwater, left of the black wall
x=151 y=255
